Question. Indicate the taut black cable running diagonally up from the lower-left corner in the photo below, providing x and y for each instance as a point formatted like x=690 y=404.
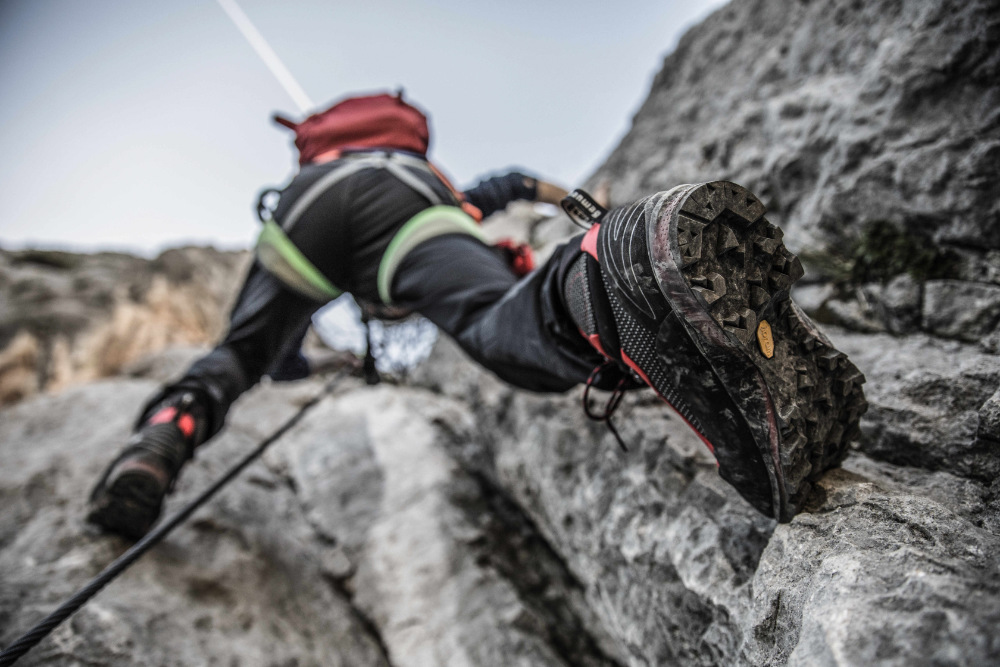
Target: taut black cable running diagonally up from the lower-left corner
x=26 y=642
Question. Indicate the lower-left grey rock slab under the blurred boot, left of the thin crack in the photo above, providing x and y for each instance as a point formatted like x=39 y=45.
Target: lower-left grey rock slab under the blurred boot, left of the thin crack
x=240 y=583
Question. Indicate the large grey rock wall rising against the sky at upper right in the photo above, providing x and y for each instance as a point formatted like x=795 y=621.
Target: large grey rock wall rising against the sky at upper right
x=836 y=113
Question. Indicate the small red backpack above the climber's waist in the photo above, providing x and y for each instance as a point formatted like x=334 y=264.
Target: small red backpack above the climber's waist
x=374 y=121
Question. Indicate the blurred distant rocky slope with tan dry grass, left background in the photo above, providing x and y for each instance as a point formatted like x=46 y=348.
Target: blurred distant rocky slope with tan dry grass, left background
x=67 y=318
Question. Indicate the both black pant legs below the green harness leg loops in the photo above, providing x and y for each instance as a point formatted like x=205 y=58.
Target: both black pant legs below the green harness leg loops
x=516 y=328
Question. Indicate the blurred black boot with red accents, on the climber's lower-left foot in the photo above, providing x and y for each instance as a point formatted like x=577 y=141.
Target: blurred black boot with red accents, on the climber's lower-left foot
x=129 y=496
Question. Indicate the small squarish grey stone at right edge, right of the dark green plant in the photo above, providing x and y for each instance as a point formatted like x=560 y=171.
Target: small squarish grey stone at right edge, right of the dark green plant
x=963 y=310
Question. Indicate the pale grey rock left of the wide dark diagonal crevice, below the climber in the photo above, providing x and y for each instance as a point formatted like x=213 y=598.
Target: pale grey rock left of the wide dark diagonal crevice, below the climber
x=357 y=541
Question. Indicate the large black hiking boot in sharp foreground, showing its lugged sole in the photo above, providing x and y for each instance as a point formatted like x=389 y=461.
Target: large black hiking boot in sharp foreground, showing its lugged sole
x=692 y=293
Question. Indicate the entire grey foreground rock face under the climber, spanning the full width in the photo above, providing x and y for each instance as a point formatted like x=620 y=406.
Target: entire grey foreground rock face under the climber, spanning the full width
x=458 y=521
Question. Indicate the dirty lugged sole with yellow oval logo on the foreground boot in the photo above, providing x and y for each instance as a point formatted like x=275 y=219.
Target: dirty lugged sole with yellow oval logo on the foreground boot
x=726 y=275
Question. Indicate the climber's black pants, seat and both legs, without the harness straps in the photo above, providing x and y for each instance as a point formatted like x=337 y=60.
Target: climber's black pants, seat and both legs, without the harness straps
x=519 y=329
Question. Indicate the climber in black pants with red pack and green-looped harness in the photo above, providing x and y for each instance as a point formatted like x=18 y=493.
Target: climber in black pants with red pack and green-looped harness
x=685 y=291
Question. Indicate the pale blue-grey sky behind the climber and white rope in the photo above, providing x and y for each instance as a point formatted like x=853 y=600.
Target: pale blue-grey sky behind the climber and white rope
x=140 y=125
